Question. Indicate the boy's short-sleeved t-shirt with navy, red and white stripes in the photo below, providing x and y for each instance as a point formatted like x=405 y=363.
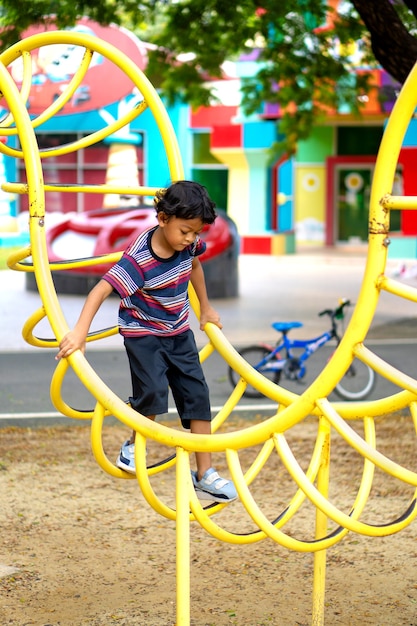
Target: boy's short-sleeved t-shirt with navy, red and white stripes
x=153 y=291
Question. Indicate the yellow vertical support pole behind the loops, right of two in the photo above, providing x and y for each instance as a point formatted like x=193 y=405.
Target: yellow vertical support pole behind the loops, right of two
x=319 y=577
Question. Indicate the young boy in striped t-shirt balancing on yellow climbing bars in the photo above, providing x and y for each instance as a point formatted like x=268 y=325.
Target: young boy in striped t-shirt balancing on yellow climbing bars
x=152 y=280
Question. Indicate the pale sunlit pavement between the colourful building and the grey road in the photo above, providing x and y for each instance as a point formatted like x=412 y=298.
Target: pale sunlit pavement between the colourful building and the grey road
x=271 y=288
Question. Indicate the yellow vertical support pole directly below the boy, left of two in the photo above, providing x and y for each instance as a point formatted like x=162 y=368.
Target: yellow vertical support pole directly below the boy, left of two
x=183 y=478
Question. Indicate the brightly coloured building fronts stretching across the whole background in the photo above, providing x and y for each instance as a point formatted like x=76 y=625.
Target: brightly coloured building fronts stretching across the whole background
x=318 y=197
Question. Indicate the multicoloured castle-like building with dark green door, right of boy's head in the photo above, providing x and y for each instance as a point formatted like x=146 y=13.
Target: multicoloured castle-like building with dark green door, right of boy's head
x=320 y=195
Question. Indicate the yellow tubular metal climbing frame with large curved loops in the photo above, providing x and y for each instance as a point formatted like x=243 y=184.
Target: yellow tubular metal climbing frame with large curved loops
x=311 y=484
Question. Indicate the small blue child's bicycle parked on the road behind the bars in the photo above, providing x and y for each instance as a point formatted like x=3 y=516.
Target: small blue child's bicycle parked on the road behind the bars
x=289 y=356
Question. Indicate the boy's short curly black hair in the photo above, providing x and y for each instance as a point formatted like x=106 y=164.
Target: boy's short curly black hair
x=187 y=200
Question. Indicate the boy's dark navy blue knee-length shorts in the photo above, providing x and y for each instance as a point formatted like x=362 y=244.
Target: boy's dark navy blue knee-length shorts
x=157 y=363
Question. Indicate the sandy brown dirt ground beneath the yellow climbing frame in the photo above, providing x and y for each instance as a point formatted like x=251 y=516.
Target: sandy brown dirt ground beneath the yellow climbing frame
x=86 y=549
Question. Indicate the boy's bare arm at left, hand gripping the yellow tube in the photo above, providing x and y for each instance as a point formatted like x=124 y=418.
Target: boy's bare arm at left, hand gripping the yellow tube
x=75 y=339
